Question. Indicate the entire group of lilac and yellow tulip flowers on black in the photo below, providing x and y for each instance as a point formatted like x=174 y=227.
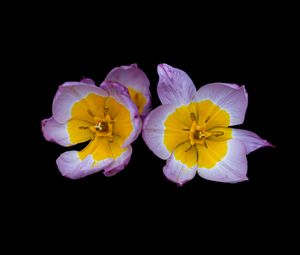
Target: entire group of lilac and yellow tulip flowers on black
x=191 y=129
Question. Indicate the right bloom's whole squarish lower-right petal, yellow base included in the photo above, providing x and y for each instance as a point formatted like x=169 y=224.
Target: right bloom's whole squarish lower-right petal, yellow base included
x=223 y=161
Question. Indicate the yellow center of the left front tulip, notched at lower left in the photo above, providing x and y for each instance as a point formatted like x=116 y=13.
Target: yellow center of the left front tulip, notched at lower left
x=102 y=120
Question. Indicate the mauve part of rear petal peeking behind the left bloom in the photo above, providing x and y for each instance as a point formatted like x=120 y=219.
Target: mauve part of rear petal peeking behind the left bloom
x=134 y=77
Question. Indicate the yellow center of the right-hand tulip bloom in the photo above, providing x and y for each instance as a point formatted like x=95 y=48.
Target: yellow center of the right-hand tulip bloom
x=198 y=133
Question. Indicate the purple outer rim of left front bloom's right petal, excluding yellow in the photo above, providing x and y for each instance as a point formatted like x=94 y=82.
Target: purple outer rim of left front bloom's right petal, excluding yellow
x=121 y=95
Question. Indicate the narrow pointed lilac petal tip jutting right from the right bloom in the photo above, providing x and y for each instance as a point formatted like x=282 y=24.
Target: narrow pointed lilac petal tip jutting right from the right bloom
x=251 y=140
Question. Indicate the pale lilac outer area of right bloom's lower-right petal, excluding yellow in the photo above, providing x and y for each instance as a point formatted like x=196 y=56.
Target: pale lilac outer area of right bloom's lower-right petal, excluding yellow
x=232 y=168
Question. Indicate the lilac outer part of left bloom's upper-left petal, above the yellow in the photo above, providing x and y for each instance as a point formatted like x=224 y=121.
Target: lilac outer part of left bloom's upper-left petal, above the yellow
x=68 y=94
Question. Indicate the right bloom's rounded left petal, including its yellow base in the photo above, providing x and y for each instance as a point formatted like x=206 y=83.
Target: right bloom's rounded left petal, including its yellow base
x=155 y=131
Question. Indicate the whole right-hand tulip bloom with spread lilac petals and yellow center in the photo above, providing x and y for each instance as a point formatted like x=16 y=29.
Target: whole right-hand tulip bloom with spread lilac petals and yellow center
x=191 y=129
